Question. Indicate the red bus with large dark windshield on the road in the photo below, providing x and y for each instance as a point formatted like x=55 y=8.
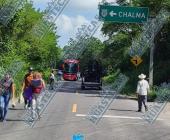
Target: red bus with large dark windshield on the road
x=70 y=69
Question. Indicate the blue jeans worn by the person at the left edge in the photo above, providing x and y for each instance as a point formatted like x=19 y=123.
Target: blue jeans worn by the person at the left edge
x=4 y=102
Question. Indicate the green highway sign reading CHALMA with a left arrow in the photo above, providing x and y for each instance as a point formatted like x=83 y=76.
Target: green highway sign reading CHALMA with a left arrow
x=123 y=14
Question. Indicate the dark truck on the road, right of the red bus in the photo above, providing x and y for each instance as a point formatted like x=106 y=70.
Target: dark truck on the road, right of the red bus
x=91 y=77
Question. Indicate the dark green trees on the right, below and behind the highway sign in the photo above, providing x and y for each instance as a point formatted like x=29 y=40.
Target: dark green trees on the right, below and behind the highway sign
x=120 y=39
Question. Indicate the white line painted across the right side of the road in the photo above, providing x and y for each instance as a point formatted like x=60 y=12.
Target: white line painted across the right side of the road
x=116 y=117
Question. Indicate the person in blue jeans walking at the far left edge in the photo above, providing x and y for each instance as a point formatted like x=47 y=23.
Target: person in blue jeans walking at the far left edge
x=7 y=91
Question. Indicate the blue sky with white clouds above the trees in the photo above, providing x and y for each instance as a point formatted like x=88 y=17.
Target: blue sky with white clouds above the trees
x=76 y=13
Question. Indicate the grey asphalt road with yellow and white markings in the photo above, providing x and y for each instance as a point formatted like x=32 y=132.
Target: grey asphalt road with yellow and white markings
x=65 y=116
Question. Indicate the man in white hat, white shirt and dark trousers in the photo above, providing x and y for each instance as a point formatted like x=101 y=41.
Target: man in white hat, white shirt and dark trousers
x=142 y=91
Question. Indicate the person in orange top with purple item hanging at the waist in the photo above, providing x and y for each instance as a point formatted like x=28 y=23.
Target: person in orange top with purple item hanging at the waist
x=27 y=88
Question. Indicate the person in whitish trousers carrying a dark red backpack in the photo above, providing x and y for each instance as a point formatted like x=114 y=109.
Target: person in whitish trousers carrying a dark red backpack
x=37 y=84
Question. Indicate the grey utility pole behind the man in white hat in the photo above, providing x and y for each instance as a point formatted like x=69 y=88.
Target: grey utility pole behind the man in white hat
x=151 y=64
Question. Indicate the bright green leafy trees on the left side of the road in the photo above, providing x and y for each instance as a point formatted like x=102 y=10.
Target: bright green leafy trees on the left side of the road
x=18 y=43
